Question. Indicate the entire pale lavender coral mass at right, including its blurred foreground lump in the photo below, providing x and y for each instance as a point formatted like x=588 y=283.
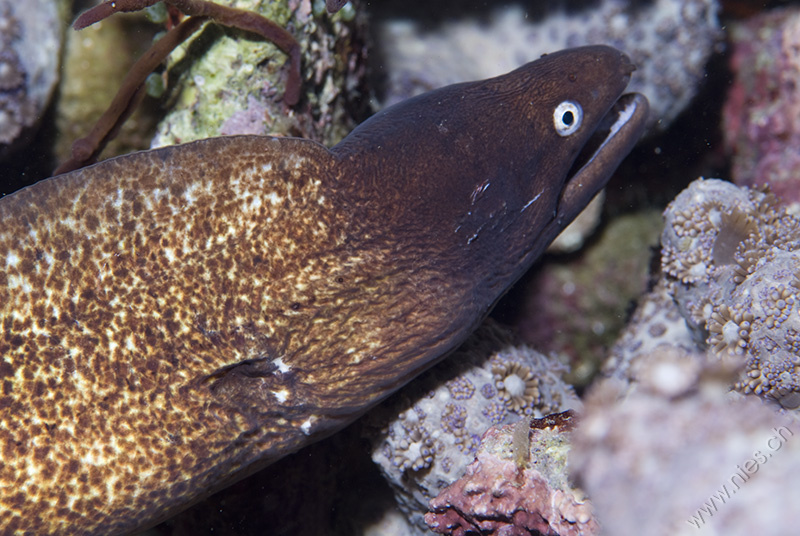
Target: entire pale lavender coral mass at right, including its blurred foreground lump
x=665 y=442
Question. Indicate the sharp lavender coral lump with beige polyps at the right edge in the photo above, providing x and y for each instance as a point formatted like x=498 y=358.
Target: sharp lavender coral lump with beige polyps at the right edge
x=730 y=256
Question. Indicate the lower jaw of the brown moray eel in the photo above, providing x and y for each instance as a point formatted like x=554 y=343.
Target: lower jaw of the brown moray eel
x=614 y=138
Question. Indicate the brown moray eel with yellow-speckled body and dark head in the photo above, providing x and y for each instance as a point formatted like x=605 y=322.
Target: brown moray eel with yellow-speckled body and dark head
x=175 y=319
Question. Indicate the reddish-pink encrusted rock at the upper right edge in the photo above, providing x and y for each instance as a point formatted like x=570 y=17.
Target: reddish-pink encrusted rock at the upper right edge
x=762 y=110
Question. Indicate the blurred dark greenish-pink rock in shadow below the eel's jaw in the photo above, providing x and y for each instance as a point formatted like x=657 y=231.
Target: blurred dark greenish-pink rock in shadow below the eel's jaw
x=576 y=306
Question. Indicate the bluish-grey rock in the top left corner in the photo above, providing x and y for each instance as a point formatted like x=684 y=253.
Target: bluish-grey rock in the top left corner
x=30 y=41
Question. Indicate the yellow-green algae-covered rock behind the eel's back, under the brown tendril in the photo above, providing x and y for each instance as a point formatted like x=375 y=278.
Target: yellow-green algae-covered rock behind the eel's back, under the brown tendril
x=231 y=83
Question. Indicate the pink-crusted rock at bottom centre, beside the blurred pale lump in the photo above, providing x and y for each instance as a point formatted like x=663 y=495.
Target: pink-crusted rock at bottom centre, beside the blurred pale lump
x=517 y=485
